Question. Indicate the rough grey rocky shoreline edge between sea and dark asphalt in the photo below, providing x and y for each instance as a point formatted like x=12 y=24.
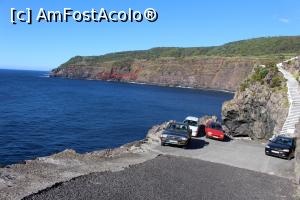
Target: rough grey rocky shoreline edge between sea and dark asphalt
x=20 y=180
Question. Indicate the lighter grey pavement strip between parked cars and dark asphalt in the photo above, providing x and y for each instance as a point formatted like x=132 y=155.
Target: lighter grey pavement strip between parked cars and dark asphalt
x=238 y=153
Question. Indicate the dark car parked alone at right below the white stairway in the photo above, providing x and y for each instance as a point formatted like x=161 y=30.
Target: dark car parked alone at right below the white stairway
x=281 y=146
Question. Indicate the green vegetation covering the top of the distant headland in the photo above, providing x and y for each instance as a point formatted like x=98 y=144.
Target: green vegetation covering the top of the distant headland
x=271 y=47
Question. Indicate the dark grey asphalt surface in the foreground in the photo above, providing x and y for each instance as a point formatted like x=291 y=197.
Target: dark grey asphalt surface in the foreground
x=168 y=177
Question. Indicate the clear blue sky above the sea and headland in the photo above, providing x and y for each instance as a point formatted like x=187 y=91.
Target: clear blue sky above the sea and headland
x=185 y=23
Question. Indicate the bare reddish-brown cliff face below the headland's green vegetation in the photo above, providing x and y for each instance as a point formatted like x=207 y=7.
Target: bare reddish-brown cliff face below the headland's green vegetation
x=221 y=73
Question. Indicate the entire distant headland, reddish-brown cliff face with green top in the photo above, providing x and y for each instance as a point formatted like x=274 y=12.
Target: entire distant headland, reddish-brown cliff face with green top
x=220 y=67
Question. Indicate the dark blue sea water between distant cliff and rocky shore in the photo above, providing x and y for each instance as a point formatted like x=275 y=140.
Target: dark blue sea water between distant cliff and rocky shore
x=40 y=116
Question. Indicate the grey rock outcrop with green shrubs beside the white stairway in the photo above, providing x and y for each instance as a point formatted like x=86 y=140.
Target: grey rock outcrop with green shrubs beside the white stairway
x=259 y=107
